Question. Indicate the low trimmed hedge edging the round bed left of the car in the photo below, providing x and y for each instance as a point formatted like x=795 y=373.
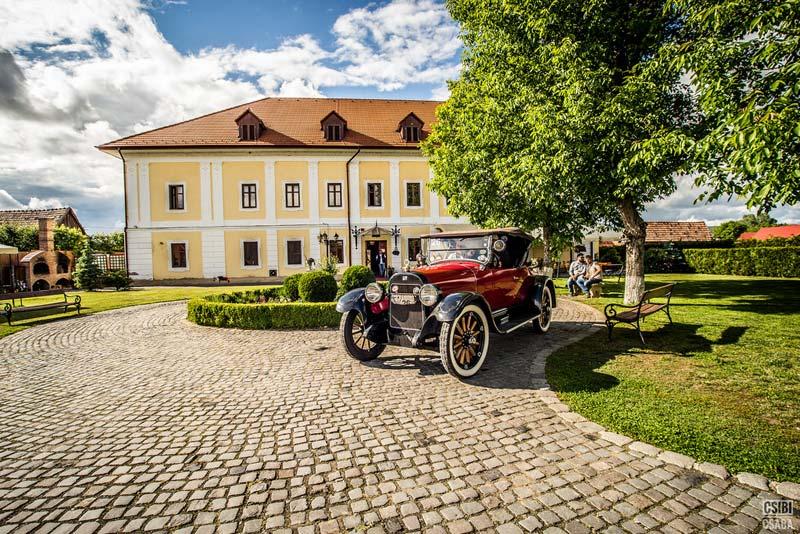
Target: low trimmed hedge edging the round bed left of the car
x=289 y=315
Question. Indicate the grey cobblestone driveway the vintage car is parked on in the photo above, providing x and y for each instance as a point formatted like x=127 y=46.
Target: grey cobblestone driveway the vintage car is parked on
x=136 y=420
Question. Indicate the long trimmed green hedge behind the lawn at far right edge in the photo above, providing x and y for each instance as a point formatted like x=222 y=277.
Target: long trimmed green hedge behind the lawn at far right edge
x=781 y=262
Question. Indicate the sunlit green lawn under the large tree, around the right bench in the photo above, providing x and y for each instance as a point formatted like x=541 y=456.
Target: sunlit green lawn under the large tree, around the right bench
x=722 y=384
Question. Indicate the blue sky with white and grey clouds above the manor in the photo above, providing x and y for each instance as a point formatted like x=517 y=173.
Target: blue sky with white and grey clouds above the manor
x=92 y=71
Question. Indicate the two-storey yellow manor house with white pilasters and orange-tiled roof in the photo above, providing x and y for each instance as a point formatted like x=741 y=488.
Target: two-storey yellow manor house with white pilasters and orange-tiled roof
x=262 y=189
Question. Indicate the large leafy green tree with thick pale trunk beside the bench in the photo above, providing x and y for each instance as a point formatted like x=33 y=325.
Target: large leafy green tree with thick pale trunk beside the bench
x=565 y=116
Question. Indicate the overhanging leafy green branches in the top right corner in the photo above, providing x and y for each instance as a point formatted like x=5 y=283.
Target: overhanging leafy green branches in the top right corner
x=744 y=58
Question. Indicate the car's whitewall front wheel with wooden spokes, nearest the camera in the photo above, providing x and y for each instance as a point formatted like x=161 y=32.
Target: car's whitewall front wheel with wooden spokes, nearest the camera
x=464 y=343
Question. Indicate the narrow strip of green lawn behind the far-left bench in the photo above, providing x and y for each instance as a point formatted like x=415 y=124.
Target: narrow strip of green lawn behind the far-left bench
x=95 y=301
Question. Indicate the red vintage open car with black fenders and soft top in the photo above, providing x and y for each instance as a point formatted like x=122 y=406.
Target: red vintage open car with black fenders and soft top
x=473 y=283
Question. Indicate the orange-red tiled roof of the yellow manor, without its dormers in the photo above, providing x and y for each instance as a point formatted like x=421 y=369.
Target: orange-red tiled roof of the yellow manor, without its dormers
x=292 y=122
